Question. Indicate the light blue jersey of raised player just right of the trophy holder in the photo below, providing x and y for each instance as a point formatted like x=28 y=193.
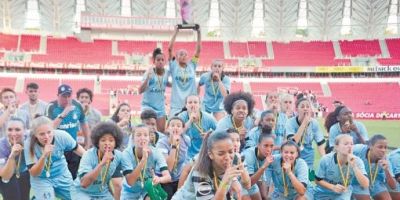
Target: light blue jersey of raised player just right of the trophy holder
x=213 y=99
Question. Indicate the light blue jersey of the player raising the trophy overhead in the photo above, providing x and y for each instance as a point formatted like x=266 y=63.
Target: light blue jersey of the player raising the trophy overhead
x=183 y=83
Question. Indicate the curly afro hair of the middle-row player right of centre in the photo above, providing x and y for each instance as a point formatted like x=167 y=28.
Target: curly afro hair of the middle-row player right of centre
x=231 y=98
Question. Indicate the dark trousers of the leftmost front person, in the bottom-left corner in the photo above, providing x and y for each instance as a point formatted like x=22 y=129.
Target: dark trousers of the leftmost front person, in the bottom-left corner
x=16 y=189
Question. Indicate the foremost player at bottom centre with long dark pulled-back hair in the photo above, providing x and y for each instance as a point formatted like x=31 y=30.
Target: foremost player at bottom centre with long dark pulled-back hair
x=214 y=173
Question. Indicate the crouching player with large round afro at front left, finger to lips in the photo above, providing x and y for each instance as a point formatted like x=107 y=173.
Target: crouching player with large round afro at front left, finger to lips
x=100 y=164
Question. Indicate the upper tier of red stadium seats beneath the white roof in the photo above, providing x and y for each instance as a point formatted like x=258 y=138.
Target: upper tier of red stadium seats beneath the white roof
x=70 y=50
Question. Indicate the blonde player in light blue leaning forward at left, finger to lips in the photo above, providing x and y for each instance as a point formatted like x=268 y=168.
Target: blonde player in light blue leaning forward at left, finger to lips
x=44 y=156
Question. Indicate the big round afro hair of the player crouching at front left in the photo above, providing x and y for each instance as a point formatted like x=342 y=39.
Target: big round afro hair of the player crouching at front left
x=104 y=128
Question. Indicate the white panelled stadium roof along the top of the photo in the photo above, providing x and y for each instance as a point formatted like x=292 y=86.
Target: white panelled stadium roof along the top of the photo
x=281 y=20
